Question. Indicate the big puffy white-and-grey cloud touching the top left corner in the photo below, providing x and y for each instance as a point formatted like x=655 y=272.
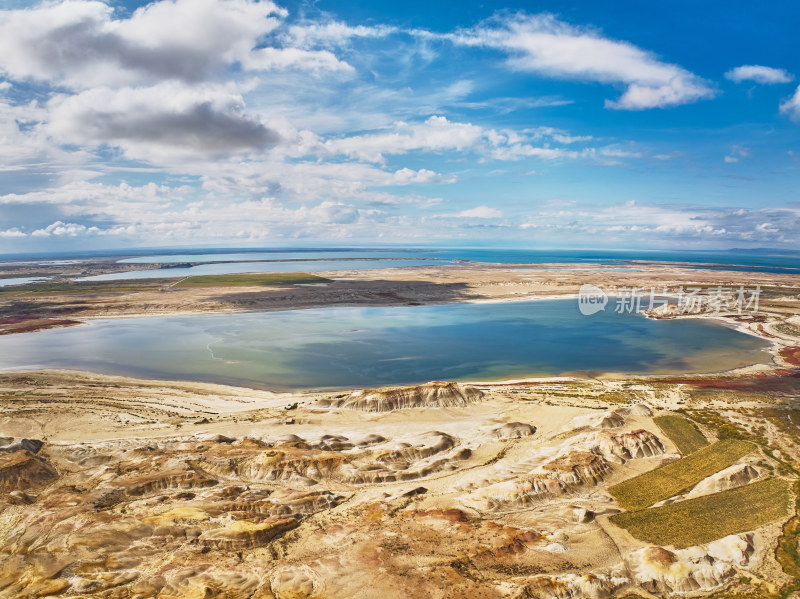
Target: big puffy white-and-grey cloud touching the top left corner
x=80 y=43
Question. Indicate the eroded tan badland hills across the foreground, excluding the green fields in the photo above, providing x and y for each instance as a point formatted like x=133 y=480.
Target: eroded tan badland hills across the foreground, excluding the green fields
x=488 y=498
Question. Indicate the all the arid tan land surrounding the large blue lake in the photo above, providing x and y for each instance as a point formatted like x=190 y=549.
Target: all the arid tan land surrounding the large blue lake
x=592 y=485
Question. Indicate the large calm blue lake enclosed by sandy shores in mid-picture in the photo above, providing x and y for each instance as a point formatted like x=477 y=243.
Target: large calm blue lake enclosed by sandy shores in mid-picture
x=358 y=347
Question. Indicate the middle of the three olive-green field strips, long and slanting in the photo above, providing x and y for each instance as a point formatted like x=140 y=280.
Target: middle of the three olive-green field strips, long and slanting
x=675 y=478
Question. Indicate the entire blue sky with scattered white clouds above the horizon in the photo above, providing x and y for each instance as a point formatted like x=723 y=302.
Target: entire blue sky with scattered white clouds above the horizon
x=550 y=124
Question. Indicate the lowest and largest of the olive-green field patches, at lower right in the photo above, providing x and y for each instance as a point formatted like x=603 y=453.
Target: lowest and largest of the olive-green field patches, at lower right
x=704 y=519
